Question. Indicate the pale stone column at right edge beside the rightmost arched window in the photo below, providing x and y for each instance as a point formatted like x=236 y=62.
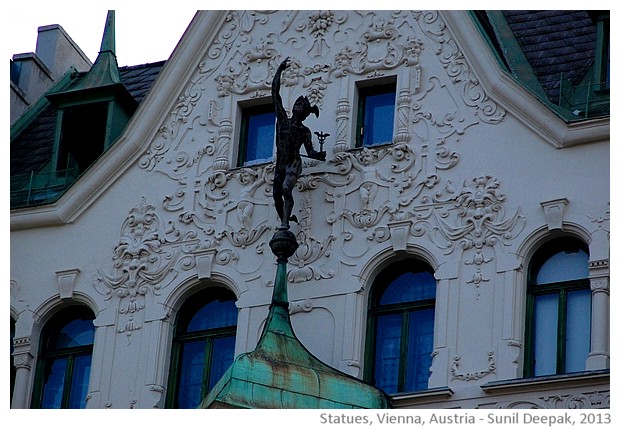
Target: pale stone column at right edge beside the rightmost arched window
x=599 y=341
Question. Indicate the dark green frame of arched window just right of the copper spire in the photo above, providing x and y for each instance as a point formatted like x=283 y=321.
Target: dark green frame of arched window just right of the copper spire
x=385 y=278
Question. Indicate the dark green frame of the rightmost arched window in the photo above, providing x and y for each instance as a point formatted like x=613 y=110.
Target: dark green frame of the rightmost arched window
x=561 y=289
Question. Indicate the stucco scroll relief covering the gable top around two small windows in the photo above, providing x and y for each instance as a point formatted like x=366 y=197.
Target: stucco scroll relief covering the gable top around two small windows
x=241 y=61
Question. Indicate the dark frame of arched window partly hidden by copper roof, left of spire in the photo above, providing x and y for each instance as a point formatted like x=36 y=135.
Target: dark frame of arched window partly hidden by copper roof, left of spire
x=187 y=311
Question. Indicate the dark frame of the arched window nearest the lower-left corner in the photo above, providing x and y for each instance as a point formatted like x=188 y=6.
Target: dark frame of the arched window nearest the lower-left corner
x=63 y=317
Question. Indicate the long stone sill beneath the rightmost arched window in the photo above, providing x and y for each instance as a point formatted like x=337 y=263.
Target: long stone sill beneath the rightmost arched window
x=586 y=378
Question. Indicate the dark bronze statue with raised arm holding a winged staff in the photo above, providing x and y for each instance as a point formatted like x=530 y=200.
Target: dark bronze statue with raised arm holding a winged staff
x=291 y=134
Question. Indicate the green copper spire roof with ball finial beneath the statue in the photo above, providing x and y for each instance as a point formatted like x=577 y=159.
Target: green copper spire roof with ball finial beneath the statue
x=281 y=372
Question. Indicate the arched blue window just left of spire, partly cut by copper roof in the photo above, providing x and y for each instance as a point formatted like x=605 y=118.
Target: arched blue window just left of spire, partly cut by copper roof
x=203 y=346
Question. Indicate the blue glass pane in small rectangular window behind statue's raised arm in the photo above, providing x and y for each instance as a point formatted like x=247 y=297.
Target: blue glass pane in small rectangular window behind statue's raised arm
x=260 y=137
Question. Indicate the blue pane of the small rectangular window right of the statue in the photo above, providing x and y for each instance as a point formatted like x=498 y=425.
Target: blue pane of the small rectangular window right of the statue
x=379 y=118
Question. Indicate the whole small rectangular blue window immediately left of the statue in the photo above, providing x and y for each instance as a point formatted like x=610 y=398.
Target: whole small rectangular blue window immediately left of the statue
x=258 y=135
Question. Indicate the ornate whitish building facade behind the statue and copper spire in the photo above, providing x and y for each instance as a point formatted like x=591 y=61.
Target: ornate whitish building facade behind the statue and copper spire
x=435 y=263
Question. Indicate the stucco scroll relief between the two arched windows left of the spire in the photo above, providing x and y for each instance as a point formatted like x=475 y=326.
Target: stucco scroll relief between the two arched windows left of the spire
x=146 y=260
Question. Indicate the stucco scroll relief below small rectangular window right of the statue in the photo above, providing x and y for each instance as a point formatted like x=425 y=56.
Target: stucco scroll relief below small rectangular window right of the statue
x=383 y=187
